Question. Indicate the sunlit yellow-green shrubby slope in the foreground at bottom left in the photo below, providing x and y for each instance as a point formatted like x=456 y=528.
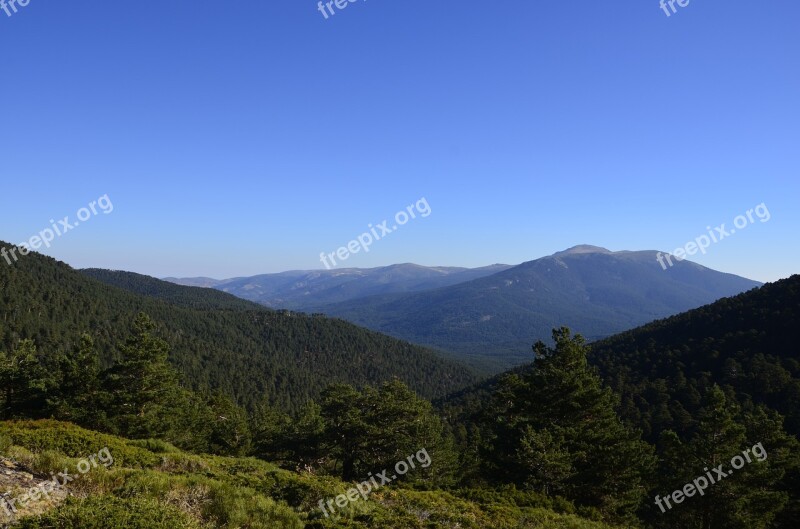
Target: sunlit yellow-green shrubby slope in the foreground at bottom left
x=153 y=486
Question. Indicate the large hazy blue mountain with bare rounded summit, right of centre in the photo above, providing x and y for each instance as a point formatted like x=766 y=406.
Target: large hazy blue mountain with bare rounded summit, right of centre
x=494 y=320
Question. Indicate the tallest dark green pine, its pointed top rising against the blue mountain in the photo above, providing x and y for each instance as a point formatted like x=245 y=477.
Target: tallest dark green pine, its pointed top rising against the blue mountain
x=557 y=431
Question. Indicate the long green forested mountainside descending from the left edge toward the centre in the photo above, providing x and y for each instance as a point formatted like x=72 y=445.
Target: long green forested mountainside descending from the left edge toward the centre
x=217 y=341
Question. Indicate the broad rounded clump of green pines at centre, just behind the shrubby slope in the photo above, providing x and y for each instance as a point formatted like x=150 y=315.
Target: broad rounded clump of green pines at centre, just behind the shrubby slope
x=352 y=433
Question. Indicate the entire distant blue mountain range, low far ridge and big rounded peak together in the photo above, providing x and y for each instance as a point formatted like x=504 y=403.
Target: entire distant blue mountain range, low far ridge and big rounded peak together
x=490 y=316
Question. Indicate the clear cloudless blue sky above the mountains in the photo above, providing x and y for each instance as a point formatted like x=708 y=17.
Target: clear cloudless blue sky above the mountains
x=236 y=138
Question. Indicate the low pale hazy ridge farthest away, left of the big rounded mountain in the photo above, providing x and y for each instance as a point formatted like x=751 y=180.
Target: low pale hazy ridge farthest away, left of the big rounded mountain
x=308 y=290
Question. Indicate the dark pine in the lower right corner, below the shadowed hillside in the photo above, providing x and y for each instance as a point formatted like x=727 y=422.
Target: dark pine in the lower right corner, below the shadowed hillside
x=745 y=498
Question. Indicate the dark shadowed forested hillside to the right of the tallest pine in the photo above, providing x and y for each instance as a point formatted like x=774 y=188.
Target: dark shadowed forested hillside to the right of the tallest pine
x=747 y=343
